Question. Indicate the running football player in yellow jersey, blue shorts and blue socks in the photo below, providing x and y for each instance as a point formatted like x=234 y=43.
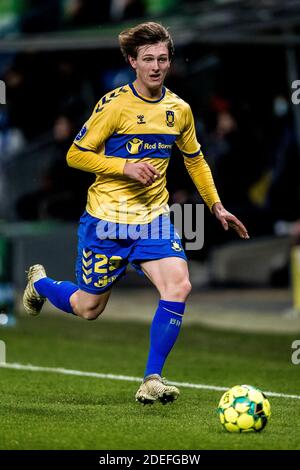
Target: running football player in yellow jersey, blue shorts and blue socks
x=127 y=143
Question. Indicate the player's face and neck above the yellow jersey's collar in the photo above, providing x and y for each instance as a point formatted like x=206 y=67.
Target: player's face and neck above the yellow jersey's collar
x=151 y=66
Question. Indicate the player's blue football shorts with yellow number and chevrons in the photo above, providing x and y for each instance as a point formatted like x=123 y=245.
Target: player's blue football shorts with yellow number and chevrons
x=105 y=249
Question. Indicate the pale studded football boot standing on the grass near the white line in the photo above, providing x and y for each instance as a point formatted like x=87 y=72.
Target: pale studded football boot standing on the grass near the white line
x=154 y=388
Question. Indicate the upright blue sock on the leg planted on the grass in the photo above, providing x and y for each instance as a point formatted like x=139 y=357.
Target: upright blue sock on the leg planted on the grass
x=163 y=334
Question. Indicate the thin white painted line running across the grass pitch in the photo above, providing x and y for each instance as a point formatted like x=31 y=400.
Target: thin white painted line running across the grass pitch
x=97 y=375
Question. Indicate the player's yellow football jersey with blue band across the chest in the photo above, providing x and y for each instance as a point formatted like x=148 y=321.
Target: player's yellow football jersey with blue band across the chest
x=127 y=127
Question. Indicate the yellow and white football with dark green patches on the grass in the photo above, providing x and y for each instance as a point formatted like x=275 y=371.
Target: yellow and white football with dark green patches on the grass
x=244 y=408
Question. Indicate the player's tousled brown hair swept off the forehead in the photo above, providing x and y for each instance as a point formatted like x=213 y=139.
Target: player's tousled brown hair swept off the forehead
x=143 y=34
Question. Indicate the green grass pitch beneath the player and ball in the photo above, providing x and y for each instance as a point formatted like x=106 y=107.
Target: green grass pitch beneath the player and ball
x=41 y=410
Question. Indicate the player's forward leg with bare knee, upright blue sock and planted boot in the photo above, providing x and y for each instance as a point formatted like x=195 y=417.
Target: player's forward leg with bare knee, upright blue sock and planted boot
x=171 y=278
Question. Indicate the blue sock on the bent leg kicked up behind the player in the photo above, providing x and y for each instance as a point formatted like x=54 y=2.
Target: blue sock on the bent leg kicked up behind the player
x=58 y=292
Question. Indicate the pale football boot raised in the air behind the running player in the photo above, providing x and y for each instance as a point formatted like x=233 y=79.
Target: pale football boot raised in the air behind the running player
x=32 y=301
